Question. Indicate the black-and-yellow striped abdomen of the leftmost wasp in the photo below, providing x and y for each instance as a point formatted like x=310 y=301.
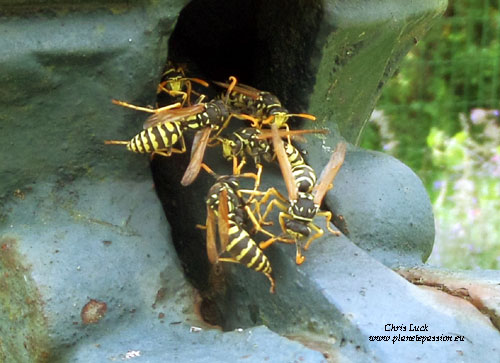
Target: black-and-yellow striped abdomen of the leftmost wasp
x=160 y=137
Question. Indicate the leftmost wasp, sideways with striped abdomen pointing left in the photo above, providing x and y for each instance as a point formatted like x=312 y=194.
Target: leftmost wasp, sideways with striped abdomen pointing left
x=166 y=126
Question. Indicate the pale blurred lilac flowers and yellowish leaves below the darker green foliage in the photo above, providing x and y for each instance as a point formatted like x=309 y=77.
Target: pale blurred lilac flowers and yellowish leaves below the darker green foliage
x=467 y=211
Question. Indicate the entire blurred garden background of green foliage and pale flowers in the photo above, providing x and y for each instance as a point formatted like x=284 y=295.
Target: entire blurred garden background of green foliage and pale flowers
x=440 y=115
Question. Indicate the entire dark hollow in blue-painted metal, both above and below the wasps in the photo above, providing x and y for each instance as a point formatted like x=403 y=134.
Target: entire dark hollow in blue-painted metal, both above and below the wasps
x=266 y=44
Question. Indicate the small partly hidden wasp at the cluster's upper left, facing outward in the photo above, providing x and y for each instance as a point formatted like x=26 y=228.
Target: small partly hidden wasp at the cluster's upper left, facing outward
x=176 y=84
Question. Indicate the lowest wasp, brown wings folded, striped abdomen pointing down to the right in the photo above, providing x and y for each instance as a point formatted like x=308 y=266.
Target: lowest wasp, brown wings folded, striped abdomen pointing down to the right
x=228 y=213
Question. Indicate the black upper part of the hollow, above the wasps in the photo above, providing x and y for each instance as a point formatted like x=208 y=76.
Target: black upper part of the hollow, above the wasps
x=266 y=44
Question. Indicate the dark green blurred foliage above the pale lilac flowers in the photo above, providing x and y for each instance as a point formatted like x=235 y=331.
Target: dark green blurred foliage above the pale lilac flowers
x=454 y=69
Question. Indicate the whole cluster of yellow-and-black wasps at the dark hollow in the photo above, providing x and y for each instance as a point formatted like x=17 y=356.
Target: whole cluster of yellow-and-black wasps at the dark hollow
x=234 y=214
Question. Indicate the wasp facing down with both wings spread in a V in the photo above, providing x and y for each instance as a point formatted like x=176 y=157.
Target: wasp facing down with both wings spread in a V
x=304 y=195
